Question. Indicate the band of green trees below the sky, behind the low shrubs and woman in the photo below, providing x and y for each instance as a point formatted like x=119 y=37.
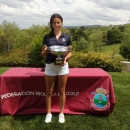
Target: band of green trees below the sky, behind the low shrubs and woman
x=84 y=38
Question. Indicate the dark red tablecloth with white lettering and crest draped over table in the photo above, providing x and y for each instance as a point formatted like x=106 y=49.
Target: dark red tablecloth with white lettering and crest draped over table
x=88 y=91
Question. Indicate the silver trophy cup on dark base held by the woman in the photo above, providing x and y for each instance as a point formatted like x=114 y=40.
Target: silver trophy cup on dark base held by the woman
x=59 y=51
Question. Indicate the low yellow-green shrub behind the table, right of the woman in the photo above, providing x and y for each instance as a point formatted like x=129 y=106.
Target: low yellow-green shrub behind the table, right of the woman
x=95 y=60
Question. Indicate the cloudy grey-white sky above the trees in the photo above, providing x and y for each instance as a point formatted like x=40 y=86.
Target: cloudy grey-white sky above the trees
x=26 y=13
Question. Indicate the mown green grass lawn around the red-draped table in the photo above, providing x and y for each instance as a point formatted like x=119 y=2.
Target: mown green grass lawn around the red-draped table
x=119 y=119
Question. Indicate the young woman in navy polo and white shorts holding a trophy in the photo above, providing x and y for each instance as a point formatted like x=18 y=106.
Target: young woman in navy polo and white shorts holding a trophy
x=58 y=38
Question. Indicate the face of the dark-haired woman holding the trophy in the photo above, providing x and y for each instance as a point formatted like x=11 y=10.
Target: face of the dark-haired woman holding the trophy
x=57 y=24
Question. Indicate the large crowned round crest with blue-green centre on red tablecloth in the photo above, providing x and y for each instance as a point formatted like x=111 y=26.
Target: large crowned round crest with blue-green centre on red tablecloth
x=100 y=100
